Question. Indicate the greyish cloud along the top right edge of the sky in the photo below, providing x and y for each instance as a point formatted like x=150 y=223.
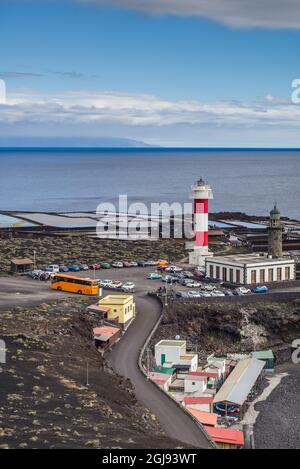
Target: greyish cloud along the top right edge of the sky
x=235 y=13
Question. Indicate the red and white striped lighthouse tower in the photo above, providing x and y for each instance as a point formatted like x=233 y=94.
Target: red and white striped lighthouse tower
x=201 y=193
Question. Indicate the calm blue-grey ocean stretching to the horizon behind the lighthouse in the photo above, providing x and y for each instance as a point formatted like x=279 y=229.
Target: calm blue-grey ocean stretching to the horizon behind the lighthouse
x=71 y=180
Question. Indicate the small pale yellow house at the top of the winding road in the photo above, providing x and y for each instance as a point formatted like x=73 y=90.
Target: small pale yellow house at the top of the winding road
x=120 y=308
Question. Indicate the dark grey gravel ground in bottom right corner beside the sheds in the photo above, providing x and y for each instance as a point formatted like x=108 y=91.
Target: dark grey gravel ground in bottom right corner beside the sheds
x=278 y=422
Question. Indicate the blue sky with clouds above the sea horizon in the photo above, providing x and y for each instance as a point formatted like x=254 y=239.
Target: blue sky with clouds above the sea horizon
x=204 y=76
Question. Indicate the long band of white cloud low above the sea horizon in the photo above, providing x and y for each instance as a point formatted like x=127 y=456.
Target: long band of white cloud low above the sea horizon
x=142 y=110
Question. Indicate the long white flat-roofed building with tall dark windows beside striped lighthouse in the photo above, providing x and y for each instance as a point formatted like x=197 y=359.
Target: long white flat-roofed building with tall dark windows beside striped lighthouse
x=250 y=269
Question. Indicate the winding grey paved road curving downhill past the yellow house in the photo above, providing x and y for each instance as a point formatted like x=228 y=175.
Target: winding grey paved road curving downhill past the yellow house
x=124 y=359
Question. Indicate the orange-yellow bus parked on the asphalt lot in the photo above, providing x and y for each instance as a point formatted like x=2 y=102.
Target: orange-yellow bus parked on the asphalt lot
x=73 y=284
